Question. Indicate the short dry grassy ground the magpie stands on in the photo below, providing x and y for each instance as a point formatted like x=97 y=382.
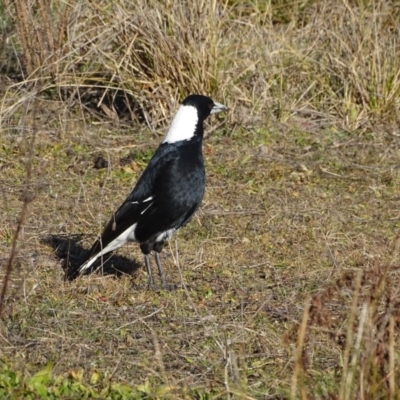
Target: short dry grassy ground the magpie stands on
x=289 y=212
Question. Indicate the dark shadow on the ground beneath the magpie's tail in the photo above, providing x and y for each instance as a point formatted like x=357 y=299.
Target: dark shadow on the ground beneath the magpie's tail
x=68 y=250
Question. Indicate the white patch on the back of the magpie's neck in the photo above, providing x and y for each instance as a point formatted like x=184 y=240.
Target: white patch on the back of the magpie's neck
x=183 y=125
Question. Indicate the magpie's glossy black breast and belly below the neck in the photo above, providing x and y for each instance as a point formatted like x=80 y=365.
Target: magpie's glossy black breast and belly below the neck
x=177 y=183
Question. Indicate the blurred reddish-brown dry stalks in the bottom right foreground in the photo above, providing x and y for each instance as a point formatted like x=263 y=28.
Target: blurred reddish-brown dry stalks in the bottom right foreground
x=359 y=315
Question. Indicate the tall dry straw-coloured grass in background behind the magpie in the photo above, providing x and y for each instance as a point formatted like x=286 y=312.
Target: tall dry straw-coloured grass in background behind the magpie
x=333 y=62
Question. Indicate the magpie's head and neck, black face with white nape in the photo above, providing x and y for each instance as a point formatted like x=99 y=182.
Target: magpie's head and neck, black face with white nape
x=188 y=121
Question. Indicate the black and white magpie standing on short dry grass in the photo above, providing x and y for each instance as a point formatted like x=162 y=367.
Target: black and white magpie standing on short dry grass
x=167 y=194
